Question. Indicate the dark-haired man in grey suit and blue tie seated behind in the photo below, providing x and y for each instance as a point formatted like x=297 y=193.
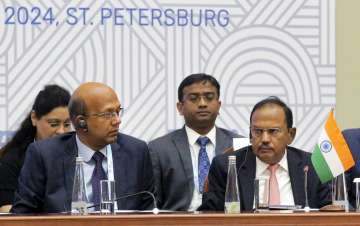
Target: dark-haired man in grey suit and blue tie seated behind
x=177 y=163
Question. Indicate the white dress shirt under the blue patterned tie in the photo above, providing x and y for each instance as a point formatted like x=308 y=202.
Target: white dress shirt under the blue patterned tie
x=194 y=151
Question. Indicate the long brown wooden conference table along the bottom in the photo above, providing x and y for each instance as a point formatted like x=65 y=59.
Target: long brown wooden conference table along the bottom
x=190 y=219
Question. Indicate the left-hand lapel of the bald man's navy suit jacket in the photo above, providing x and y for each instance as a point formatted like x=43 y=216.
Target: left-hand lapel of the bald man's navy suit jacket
x=69 y=167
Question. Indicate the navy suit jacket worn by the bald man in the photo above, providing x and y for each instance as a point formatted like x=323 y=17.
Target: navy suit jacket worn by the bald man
x=46 y=179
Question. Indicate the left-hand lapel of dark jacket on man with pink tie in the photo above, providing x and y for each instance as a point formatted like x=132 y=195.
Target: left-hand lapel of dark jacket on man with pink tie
x=246 y=179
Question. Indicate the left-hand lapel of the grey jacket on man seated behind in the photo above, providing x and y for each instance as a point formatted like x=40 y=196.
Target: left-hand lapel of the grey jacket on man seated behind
x=182 y=146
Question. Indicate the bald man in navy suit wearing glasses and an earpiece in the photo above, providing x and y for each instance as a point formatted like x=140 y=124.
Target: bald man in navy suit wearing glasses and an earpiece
x=46 y=179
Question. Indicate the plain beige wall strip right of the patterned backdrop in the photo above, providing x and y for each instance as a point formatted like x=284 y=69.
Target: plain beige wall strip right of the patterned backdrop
x=348 y=63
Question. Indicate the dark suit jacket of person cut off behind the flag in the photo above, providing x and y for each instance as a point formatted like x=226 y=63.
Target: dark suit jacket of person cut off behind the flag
x=352 y=137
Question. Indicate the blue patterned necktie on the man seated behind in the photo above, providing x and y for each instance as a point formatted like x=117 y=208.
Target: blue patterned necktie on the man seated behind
x=204 y=163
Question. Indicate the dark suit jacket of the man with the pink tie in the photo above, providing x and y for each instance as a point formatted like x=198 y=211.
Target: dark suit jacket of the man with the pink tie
x=319 y=195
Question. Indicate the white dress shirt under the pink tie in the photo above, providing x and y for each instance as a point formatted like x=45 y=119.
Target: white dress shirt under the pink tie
x=282 y=176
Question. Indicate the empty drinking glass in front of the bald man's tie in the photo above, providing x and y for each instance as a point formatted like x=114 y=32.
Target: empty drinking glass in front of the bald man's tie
x=107 y=191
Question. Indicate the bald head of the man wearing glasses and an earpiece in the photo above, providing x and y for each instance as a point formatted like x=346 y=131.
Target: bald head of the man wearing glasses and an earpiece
x=95 y=112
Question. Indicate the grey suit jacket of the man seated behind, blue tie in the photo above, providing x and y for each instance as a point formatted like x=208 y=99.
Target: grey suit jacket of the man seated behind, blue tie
x=173 y=171
